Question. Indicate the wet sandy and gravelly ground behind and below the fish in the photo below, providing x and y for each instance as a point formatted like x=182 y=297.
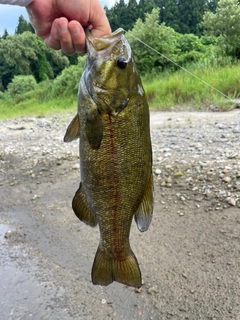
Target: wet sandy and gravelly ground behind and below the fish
x=189 y=257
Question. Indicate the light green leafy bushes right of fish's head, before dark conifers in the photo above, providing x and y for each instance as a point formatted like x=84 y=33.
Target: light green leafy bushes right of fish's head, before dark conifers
x=173 y=46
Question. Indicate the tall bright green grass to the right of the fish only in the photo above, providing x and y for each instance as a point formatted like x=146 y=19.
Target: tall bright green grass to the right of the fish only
x=180 y=88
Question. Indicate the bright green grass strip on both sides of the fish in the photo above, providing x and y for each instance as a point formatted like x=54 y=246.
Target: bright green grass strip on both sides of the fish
x=164 y=91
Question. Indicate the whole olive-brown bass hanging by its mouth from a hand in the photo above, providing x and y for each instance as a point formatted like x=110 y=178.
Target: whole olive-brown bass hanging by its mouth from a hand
x=115 y=150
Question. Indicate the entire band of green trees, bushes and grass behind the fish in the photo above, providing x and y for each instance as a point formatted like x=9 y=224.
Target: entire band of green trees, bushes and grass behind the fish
x=202 y=37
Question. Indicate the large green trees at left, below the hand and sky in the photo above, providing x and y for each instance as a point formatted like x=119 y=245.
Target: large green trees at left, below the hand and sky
x=26 y=54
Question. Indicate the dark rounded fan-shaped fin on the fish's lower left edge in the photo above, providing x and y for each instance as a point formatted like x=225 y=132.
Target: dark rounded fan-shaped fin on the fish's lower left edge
x=81 y=208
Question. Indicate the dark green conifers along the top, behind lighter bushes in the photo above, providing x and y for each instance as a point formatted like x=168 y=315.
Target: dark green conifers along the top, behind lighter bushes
x=183 y=16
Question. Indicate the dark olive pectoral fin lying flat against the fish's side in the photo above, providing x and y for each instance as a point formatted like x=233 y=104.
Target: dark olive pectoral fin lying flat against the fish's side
x=94 y=129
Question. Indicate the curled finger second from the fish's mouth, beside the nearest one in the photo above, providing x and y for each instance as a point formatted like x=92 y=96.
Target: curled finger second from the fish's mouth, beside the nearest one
x=65 y=36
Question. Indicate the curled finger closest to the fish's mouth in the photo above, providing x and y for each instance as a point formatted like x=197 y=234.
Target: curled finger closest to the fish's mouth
x=78 y=36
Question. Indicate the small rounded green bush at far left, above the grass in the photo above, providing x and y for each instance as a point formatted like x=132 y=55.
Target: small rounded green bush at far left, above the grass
x=21 y=84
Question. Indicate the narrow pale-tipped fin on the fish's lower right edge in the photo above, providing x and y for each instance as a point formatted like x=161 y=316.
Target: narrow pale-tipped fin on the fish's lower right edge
x=143 y=215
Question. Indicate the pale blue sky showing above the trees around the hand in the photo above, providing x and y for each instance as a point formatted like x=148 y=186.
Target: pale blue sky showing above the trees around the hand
x=9 y=15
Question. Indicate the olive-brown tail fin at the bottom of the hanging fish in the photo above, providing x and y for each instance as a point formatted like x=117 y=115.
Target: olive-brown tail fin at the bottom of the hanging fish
x=105 y=269
